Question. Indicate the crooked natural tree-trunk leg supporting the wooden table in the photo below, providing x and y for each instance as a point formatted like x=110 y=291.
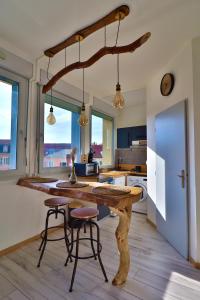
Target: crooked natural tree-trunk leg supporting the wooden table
x=122 y=243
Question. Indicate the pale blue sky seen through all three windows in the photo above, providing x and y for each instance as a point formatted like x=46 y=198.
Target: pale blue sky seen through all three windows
x=60 y=132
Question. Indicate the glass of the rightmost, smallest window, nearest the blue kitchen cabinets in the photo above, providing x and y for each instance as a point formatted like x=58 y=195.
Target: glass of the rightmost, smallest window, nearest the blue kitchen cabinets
x=102 y=138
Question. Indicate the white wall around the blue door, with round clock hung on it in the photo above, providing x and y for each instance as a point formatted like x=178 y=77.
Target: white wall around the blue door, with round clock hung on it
x=181 y=67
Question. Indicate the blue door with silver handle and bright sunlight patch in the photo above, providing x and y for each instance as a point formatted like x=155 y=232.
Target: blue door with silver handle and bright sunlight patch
x=171 y=177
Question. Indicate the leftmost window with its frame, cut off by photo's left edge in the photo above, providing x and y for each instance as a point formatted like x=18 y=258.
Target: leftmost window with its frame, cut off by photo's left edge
x=13 y=93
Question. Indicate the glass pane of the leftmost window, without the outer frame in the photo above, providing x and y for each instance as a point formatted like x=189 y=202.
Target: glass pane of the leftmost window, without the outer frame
x=8 y=124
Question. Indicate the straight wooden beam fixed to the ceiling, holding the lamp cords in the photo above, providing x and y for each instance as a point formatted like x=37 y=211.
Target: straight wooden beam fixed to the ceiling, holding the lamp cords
x=119 y=13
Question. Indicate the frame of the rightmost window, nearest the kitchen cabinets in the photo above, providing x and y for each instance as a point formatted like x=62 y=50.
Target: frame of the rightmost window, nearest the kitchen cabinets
x=101 y=114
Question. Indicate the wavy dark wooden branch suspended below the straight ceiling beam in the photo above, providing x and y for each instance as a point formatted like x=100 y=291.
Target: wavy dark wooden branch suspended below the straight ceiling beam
x=102 y=52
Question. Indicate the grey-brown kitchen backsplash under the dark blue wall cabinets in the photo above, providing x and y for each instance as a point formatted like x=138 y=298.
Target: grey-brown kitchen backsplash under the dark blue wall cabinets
x=136 y=156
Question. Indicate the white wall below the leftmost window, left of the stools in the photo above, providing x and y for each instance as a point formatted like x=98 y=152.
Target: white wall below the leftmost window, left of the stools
x=22 y=213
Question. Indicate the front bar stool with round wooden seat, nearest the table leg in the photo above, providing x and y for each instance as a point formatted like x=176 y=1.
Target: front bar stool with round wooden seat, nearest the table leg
x=84 y=216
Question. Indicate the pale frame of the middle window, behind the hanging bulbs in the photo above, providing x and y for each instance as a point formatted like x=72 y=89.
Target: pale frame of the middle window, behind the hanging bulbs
x=64 y=102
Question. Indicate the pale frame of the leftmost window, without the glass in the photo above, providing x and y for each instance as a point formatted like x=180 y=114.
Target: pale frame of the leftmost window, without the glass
x=21 y=159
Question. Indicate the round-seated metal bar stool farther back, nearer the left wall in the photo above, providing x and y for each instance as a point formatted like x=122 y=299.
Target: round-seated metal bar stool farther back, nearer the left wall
x=54 y=204
